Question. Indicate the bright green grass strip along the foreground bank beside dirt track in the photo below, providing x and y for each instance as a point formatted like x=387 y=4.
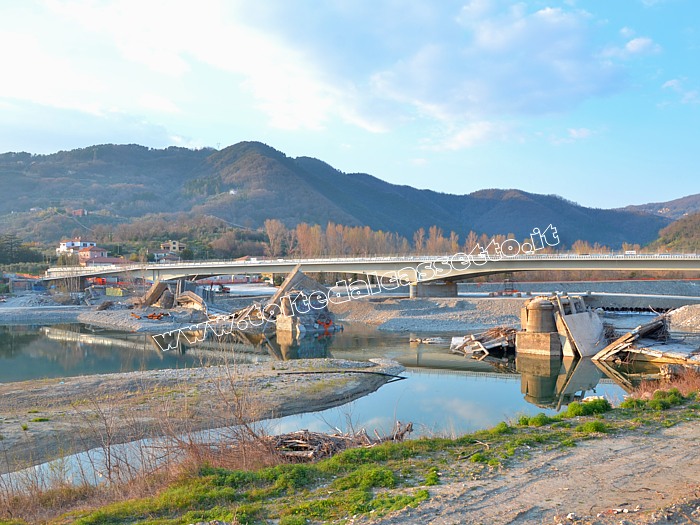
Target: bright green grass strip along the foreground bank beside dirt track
x=381 y=479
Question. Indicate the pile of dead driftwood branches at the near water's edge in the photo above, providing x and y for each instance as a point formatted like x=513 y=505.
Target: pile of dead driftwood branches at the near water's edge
x=308 y=446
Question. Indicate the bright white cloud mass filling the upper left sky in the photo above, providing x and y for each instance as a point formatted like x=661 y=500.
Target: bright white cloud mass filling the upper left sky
x=170 y=39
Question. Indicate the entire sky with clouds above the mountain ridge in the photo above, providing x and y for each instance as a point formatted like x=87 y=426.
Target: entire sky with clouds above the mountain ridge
x=596 y=101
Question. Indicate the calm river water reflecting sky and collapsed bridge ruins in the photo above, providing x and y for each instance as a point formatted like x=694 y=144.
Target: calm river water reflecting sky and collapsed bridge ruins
x=443 y=394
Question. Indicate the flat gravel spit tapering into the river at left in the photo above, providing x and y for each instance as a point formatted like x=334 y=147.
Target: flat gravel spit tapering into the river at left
x=41 y=420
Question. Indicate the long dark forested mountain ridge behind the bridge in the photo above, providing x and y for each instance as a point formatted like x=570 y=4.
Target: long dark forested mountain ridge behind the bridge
x=249 y=182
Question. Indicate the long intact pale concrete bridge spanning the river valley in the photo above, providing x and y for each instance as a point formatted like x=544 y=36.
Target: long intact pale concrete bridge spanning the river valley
x=413 y=270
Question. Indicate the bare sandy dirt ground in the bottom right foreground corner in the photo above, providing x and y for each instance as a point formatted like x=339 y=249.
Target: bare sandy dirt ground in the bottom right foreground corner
x=632 y=478
